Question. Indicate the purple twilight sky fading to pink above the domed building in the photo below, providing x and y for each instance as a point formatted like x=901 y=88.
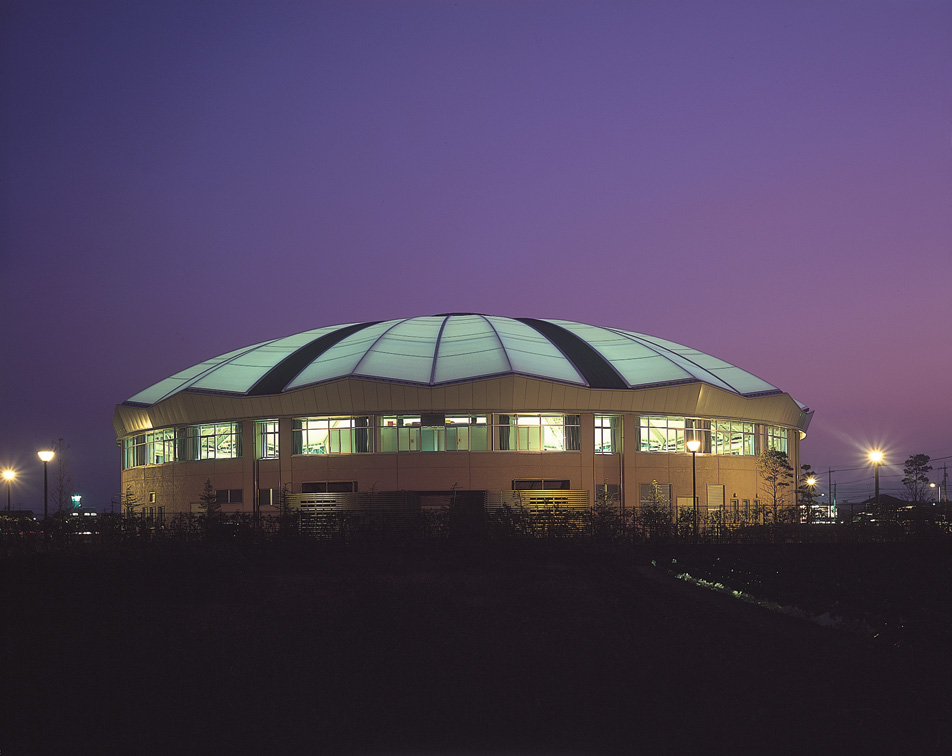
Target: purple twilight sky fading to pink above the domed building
x=769 y=182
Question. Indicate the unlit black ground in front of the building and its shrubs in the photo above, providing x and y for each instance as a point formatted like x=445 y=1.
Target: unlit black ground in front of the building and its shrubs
x=503 y=650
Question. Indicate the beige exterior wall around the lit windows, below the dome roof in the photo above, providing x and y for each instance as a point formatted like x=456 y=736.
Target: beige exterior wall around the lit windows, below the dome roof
x=178 y=485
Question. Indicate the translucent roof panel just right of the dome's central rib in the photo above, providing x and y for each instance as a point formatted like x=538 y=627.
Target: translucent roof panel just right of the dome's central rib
x=469 y=347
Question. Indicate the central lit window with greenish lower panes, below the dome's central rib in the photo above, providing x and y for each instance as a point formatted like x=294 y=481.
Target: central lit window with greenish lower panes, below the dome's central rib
x=434 y=432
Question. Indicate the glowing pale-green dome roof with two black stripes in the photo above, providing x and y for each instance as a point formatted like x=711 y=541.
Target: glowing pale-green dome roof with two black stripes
x=455 y=347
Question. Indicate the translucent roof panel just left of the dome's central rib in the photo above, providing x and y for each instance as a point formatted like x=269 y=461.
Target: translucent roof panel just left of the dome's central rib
x=404 y=352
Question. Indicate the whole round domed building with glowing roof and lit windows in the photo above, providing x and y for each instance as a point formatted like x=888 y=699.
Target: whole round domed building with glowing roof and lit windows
x=456 y=407
